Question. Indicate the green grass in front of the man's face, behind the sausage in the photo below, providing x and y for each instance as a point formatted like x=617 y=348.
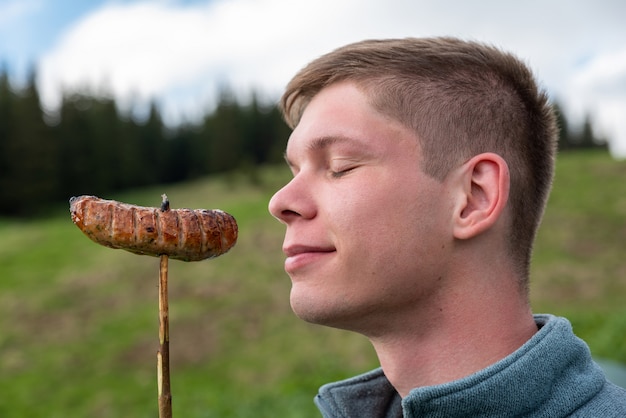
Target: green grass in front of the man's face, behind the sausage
x=79 y=323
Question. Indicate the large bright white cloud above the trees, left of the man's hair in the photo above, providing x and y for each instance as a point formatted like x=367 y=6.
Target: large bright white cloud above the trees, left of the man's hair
x=159 y=50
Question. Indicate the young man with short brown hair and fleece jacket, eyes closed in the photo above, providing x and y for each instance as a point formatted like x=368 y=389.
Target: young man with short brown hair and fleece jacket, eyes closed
x=421 y=169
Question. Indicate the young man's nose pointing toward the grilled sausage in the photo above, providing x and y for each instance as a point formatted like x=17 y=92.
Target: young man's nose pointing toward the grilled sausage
x=293 y=201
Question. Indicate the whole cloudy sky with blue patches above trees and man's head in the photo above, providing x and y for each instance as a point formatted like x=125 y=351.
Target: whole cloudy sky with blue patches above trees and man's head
x=180 y=52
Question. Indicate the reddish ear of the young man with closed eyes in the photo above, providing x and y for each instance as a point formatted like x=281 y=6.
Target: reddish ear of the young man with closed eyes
x=483 y=191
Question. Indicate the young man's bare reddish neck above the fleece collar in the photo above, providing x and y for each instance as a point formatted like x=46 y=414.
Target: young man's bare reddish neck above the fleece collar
x=452 y=339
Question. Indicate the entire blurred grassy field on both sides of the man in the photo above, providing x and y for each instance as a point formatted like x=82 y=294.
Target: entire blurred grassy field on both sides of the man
x=79 y=325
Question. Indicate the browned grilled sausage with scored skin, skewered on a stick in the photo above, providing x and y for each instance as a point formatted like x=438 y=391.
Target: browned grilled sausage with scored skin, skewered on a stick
x=182 y=234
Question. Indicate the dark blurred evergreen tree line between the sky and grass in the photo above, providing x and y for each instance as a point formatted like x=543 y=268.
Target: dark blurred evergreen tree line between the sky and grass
x=93 y=148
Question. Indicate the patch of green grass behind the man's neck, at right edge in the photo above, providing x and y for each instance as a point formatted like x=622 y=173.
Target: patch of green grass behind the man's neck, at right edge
x=579 y=266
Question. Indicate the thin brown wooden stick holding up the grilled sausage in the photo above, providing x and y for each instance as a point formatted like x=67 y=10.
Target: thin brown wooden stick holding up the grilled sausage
x=163 y=355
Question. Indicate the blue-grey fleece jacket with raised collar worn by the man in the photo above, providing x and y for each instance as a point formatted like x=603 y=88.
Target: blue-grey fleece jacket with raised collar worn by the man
x=552 y=375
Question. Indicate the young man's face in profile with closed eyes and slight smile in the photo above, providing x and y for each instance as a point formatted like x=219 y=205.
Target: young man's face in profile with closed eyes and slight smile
x=367 y=232
